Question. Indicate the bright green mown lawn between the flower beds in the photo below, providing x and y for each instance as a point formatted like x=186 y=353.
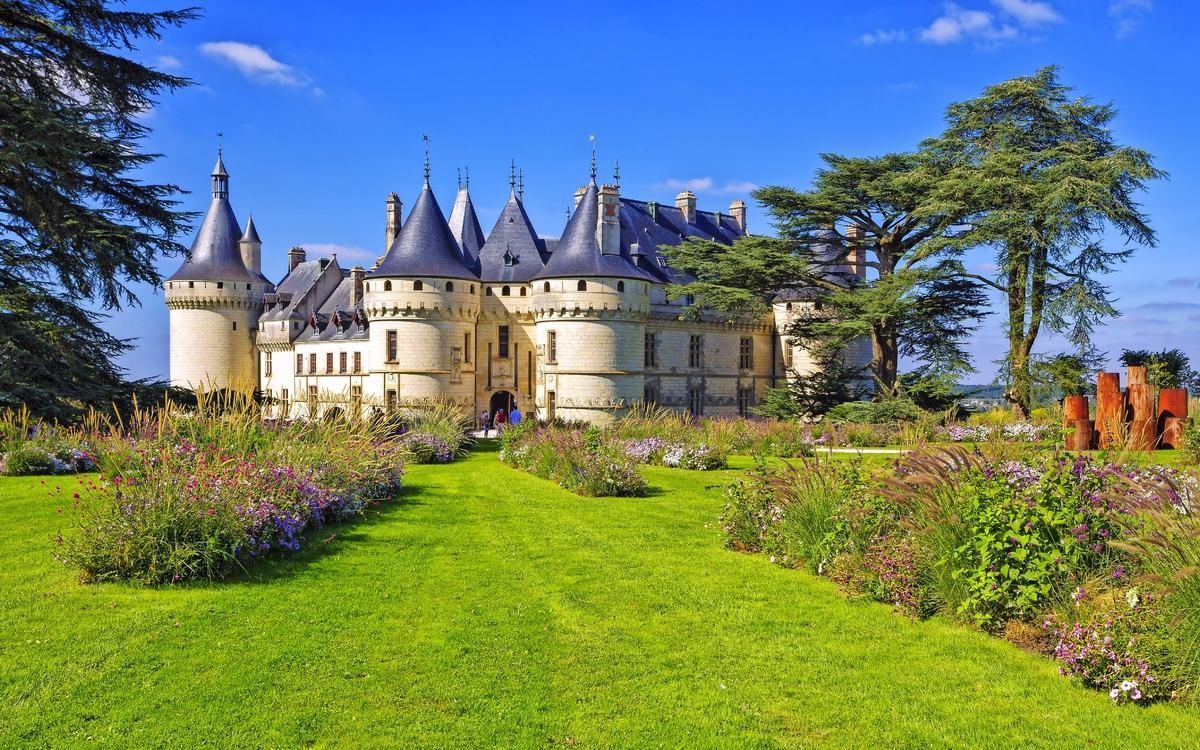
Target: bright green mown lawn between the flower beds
x=491 y=609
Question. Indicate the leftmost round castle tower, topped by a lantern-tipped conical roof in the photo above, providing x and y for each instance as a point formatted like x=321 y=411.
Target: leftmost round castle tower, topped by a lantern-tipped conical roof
x=215 y=301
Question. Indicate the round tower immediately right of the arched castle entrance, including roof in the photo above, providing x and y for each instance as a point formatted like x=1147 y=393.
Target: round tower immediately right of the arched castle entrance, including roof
x=592 y=304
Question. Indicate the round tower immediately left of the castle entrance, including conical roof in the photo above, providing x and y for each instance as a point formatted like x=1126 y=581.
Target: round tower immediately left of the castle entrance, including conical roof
x=423 y=303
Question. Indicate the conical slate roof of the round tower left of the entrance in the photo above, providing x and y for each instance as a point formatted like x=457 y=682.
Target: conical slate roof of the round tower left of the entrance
x=425 y=247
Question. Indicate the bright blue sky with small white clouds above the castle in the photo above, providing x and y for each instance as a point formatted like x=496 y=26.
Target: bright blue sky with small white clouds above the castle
x=323 y=107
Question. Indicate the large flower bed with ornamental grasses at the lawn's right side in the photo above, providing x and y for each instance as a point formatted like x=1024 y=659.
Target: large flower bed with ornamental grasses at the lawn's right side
x=1102 y=559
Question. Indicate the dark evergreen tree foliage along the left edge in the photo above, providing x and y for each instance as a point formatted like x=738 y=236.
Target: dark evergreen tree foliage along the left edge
x=76 y=227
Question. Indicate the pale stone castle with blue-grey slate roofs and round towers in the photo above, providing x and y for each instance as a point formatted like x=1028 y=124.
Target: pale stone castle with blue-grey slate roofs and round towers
x=578 y=327
